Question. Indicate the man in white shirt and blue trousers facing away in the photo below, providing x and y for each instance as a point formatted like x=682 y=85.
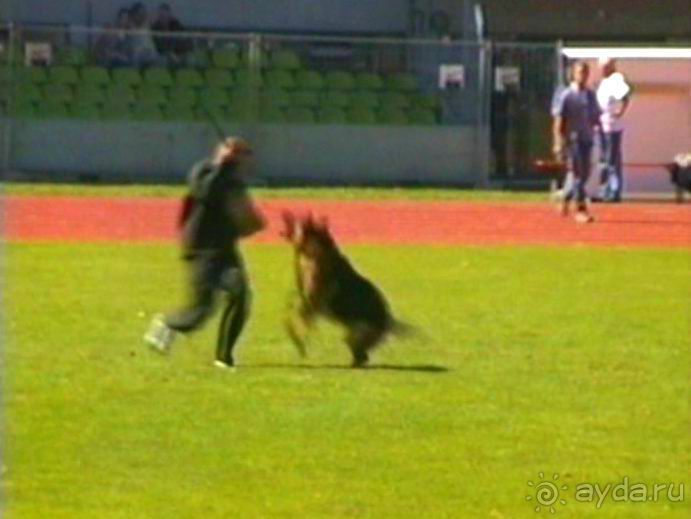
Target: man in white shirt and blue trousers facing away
x=613 y=96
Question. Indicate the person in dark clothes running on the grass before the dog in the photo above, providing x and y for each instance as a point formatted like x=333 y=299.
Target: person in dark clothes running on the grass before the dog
x=217 y=213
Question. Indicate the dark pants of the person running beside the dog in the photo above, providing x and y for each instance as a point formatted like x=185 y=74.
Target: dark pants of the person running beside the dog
x=209 y=275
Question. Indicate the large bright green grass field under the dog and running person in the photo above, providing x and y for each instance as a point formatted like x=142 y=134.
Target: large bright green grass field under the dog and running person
x=569 y=361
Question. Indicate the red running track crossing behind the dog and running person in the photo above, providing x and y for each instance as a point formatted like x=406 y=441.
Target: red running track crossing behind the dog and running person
x=97 y=219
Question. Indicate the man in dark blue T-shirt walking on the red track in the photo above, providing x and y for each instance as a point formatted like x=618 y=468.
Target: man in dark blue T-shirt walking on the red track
x=576 y=114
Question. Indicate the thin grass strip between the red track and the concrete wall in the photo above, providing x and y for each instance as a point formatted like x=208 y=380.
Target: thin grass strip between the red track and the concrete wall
x=344 y=193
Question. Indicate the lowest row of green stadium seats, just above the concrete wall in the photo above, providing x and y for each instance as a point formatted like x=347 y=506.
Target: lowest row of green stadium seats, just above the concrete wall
x=148 y=111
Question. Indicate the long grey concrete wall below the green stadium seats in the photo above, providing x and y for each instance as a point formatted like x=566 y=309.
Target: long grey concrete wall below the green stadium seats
x=148 y=152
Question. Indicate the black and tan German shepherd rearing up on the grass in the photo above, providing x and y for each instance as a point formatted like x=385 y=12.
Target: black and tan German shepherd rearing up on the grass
x=328 y=286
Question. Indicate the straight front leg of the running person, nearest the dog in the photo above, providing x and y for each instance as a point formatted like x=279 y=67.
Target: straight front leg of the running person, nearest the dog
x=235 y=314
